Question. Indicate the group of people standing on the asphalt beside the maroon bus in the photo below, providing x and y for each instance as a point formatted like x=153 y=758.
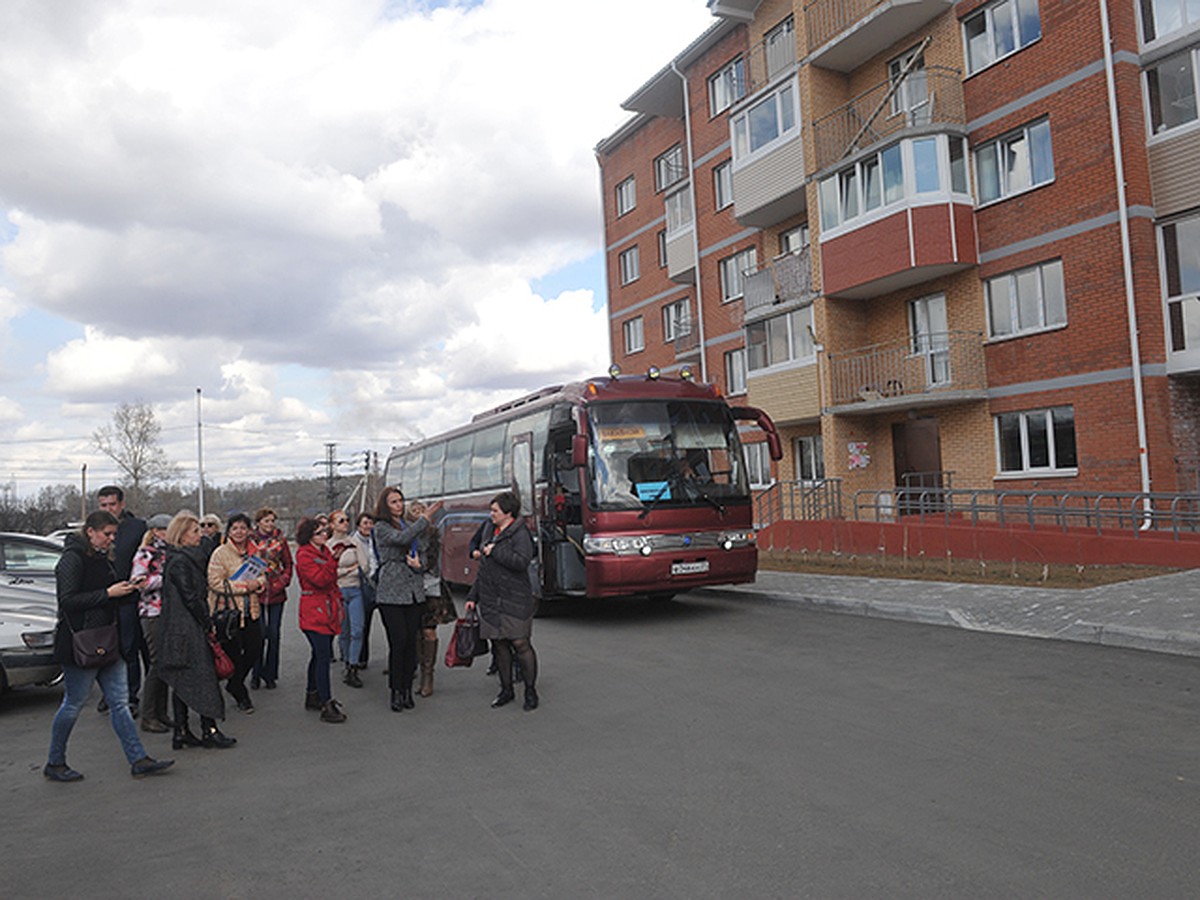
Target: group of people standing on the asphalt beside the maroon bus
x=197 y=591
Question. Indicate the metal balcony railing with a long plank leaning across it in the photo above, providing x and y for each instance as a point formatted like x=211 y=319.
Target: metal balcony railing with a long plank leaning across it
x=926 y=98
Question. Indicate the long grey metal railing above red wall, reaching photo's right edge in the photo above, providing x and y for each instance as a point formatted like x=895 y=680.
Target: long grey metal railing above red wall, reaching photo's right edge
x=1107 y=513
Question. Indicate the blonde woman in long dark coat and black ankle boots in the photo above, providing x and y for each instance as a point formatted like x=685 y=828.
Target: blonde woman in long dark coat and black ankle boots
x=185 y=658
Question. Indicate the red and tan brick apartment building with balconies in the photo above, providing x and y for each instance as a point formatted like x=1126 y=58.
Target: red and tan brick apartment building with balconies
x=926 y=237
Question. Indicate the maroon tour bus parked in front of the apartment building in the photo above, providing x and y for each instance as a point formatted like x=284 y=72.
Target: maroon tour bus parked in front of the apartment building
x=629 y=484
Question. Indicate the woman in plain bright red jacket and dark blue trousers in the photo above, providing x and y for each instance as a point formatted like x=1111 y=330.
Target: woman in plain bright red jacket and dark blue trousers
x=321 y=614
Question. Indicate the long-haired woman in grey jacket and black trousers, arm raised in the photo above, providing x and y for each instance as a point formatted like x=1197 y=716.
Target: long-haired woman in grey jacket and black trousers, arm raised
x=400 y=593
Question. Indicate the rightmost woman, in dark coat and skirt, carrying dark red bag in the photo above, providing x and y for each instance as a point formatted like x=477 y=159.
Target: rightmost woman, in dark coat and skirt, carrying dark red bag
x=505 y=598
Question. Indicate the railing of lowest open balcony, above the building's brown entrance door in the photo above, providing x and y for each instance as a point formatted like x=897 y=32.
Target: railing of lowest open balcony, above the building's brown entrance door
x=914 y=368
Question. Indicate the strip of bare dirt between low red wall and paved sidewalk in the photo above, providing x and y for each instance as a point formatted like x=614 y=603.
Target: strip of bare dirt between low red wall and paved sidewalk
x=962 y=571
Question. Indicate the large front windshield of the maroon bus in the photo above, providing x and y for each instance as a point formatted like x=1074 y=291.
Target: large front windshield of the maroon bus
x=665 y=453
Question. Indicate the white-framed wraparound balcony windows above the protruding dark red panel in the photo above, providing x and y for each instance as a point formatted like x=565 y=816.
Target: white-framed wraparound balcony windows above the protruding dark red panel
x=905 y=170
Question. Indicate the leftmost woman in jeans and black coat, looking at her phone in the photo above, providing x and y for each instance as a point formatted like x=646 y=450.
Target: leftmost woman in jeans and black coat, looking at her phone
x=88 y=590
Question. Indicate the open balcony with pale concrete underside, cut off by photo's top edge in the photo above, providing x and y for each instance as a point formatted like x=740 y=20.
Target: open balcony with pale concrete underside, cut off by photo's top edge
x=844 y=34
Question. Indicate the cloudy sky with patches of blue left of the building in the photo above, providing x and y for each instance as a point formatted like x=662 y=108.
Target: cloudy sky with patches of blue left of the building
x=347 y=221
